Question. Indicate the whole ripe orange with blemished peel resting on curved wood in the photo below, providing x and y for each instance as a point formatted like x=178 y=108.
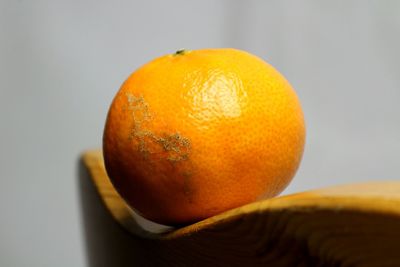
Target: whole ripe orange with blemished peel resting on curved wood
x=193 y=134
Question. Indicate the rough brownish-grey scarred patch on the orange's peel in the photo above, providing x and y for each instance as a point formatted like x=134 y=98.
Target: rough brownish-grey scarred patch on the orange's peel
x=175 y=145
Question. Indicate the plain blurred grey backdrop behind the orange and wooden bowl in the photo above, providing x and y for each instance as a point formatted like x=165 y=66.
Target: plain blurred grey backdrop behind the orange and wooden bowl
x=61 y=62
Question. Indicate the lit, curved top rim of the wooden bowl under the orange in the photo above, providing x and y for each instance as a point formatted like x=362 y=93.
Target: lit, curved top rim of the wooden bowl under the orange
x=372 y=198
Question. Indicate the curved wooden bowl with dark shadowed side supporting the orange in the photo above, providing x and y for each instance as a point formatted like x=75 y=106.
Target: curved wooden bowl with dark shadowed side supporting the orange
x=350 y=225
